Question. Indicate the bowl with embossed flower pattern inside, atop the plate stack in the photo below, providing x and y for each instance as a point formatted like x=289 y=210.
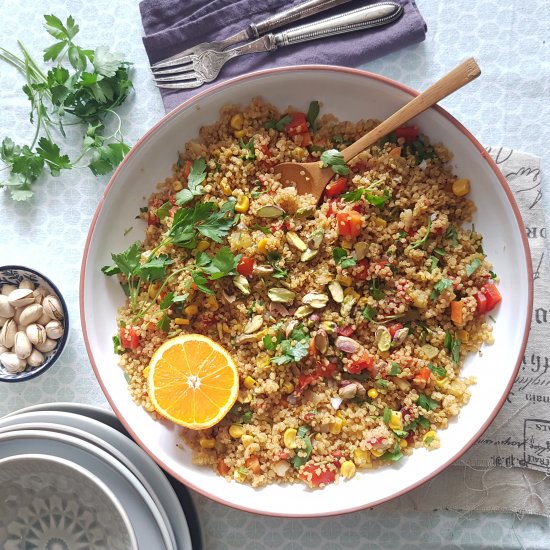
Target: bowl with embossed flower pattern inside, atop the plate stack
x=43 y=498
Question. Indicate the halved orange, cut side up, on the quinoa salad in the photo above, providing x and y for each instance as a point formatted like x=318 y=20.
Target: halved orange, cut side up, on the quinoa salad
x=192 y=381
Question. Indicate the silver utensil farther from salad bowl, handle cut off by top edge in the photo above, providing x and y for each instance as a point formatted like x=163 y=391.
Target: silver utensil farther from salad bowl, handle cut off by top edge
x=254 y=30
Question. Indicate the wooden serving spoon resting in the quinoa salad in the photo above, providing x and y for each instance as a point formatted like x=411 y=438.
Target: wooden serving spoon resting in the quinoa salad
x=310 y=177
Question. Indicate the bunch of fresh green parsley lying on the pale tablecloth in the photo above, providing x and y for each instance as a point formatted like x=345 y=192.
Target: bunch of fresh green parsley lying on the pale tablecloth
x=82 y=87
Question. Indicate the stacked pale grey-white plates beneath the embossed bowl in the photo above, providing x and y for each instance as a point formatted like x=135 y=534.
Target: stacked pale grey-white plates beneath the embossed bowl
x=91 y=438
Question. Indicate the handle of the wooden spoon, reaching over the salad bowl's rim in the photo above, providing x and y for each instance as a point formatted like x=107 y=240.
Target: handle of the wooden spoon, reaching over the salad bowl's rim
x=458 y=77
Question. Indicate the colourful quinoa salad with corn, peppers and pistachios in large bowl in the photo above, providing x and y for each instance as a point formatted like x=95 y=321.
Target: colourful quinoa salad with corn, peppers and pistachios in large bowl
x=348 y=321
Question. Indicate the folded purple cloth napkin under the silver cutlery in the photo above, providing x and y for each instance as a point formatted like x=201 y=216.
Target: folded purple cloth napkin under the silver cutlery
x=172 y=26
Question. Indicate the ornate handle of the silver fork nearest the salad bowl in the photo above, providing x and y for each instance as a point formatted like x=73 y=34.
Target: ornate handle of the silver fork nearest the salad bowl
x=374 y=15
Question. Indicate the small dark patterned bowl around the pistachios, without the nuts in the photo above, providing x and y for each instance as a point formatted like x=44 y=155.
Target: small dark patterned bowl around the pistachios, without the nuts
x=13 y=275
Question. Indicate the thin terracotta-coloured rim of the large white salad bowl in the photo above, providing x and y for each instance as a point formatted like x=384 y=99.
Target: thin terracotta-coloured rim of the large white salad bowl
x=411 y=92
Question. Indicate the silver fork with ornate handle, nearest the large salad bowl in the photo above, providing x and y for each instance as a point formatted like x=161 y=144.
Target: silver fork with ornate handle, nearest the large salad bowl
x=206 y=66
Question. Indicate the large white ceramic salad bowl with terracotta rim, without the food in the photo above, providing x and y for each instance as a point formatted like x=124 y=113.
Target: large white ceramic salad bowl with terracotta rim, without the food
x=349 y=94
